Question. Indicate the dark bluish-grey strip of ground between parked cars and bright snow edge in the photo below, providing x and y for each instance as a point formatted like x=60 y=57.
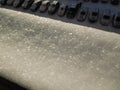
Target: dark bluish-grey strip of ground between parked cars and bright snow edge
x=96 y=25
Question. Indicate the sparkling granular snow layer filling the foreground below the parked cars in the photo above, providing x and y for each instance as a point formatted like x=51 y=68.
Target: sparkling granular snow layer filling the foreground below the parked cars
x=46 y=54
